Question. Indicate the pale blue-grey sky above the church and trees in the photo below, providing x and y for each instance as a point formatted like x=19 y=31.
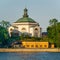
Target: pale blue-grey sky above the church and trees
x=39 y=10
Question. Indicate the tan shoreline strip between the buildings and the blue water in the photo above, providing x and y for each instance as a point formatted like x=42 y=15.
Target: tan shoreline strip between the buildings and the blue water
x=29 y=50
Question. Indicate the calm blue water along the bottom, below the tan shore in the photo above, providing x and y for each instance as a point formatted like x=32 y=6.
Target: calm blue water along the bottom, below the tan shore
x=29 y=56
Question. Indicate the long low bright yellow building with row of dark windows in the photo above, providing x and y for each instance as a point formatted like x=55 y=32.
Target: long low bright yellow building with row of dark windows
x=35 y=44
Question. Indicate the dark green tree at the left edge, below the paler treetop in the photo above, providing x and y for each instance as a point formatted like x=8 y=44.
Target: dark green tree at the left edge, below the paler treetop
x=4 y=36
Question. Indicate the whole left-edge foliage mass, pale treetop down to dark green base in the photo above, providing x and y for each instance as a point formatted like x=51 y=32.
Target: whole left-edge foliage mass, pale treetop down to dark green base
x=4 y=36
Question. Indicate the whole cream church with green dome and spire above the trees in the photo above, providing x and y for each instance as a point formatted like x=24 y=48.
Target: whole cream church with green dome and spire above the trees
x=25 y=25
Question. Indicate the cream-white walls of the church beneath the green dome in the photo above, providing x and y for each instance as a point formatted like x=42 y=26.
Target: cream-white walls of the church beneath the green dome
x=29 y=28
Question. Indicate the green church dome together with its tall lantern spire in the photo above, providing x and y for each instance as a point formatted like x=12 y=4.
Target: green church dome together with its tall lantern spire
x=25 y=18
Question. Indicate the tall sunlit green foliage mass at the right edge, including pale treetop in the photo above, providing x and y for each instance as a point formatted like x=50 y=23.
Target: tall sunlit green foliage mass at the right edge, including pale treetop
x=54 y=31
